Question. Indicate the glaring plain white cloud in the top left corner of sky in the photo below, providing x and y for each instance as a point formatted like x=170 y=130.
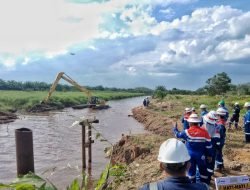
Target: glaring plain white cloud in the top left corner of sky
x=49 y=26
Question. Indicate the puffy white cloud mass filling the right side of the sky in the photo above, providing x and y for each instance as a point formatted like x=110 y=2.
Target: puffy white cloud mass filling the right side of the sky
x=211 y=36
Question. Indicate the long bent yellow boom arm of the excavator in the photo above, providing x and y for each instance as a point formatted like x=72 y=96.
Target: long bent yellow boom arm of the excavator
x=62 y=75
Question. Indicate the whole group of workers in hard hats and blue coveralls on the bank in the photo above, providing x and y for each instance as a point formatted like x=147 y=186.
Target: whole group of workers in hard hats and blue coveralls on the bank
x=200 y=152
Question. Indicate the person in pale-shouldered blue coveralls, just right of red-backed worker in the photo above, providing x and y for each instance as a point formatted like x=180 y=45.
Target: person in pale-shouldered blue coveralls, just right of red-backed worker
x=214 y=132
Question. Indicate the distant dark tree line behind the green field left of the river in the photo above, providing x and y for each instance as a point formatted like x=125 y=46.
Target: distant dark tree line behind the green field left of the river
x=43 y=86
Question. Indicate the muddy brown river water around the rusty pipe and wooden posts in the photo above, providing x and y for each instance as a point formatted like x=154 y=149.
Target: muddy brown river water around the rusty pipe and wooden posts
x=57 y=145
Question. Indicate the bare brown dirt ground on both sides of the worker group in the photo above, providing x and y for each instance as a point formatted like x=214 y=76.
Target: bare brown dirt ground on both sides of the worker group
x=144 y=167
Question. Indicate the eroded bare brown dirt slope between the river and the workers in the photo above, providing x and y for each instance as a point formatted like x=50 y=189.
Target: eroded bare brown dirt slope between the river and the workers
x=139 y=152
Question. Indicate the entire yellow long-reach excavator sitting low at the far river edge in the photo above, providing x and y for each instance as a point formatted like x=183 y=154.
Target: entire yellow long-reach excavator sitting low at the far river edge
x=93 y=101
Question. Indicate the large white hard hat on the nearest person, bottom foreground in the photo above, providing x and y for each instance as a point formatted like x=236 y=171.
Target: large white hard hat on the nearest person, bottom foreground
x=173 y=151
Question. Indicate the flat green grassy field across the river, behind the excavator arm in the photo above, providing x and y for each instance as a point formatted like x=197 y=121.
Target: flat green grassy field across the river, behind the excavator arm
x=23 y=100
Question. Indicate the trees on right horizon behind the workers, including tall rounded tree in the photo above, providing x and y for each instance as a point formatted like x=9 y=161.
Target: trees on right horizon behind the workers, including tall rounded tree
x=219 y=84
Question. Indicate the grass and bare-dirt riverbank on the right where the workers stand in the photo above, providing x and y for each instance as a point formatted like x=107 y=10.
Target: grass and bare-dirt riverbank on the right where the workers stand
x=158 y=118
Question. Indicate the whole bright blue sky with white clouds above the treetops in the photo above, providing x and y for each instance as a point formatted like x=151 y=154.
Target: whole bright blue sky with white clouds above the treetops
x=125 y=43
